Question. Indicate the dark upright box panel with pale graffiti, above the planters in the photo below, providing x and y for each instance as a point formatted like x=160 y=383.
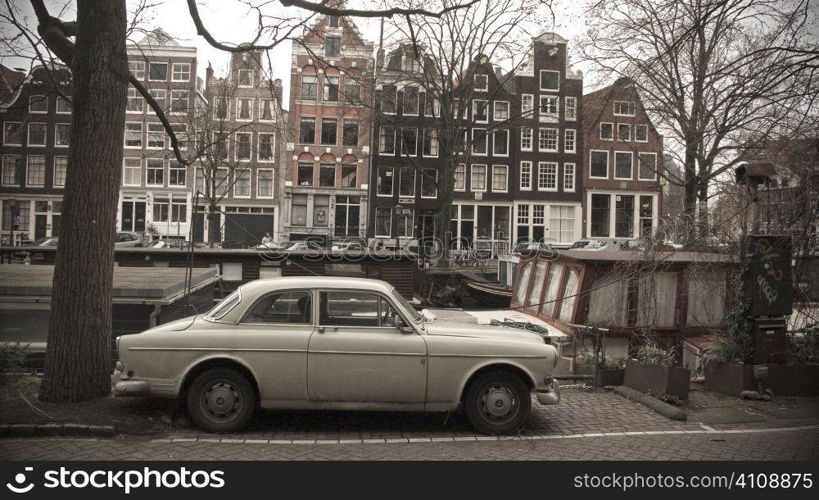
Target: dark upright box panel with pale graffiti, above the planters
x=769 y=276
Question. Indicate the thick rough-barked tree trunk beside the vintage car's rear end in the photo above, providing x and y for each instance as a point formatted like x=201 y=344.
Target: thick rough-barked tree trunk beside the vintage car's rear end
x=78 y=356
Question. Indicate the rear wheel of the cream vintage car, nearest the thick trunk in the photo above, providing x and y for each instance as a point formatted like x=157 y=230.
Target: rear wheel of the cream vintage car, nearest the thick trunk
x=221 y=400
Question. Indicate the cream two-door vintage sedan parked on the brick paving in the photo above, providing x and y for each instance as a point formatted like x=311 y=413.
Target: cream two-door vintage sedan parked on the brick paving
x=335 y=343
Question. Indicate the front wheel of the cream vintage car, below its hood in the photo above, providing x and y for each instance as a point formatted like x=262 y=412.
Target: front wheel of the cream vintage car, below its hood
x=498 y=403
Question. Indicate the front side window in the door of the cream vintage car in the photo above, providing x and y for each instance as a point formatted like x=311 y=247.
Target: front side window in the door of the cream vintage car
x=356 y=309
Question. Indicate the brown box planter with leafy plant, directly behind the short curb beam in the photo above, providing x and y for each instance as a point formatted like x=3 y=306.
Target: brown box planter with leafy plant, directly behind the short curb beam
x=653 y=371
